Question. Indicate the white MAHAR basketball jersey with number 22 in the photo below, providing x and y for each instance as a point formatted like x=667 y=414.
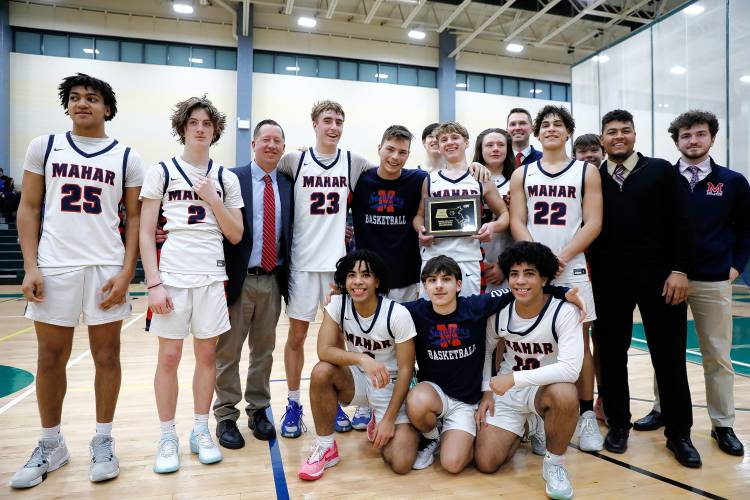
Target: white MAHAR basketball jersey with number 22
x=555 y=211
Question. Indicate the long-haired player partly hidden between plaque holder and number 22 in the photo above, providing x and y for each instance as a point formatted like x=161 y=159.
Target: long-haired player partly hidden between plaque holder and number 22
x=493 y=149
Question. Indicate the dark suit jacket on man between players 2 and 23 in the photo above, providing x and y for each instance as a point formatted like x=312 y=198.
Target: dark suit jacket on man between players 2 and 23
x=238 y=256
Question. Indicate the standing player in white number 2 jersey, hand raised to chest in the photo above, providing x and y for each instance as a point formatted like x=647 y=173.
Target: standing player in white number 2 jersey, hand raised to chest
x=201 y=202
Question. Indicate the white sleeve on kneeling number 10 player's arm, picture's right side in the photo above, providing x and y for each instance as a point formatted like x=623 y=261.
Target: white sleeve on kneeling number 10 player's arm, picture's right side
x=569 y=356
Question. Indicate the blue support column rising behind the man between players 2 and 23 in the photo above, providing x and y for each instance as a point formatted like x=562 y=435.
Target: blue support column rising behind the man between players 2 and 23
x=244 y=87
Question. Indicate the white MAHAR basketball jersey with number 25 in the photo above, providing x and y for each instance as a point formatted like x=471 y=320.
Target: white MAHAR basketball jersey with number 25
x=82 y=192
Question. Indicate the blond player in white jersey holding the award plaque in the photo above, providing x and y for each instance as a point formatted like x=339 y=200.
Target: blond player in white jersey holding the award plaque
x=455 y=180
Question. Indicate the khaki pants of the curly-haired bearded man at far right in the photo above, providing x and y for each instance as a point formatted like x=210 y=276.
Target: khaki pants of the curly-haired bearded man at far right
x=711 y=305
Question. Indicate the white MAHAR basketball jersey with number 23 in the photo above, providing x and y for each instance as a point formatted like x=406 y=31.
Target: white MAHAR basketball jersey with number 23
x=320 y=202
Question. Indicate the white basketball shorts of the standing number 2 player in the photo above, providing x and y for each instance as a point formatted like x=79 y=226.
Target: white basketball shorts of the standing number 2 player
x=200 y=311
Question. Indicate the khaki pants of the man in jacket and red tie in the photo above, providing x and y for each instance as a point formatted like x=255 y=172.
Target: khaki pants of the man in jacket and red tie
x=253 y=316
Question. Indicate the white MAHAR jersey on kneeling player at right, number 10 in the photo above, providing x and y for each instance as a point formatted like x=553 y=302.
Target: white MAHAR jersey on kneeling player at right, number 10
x=533 y=347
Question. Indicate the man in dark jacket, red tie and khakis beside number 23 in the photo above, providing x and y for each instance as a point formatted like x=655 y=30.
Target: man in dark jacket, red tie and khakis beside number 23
x=258 y=271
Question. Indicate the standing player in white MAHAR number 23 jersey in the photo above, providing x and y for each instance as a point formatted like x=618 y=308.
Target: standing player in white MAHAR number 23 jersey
x=323 y=178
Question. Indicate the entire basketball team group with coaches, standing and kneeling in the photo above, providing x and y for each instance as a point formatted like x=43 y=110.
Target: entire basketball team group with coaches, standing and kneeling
x=461 y=345
